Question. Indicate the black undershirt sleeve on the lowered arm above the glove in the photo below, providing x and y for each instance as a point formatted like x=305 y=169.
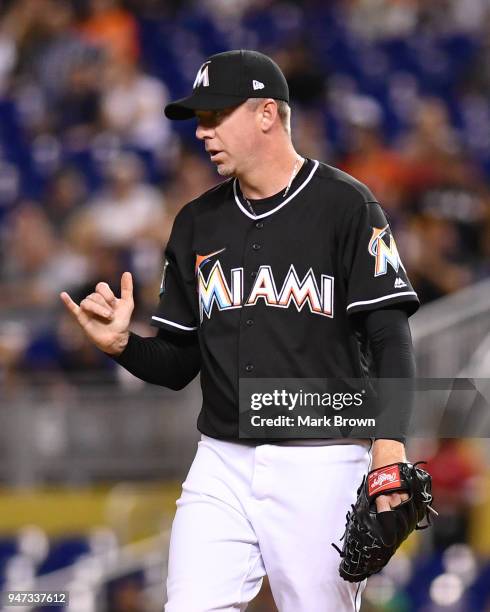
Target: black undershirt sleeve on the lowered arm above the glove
x=390 y=342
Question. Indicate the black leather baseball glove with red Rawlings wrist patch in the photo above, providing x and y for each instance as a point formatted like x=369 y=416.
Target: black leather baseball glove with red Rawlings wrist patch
x=371 y=538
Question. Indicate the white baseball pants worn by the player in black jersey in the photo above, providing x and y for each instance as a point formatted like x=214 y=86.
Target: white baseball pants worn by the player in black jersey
x=246 y=511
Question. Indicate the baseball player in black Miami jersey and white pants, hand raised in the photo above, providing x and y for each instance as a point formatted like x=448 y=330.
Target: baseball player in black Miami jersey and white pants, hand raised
x=287 y=268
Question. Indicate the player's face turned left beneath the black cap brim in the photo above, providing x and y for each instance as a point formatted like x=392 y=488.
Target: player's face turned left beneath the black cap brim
x=229 y=138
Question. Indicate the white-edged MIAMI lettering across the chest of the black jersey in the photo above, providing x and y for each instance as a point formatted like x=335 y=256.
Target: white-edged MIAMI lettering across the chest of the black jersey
x=214 y=289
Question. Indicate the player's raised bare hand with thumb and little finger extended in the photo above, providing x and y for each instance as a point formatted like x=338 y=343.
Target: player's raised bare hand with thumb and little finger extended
x=104 y=317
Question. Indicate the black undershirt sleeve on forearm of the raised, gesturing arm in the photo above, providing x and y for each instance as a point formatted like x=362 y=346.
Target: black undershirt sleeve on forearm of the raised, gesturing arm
x=169 y=360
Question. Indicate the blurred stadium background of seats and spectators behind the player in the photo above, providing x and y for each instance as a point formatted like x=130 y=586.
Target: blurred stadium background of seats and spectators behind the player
x=396 y=92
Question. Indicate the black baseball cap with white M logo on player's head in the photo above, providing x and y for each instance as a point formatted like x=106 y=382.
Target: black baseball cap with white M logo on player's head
x=228 y=79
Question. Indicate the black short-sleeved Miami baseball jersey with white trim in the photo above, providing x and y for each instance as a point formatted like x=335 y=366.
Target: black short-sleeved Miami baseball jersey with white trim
x=269 y=286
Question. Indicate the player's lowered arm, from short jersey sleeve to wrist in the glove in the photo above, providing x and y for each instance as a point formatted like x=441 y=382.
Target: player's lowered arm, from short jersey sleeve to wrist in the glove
x=380 y=298
